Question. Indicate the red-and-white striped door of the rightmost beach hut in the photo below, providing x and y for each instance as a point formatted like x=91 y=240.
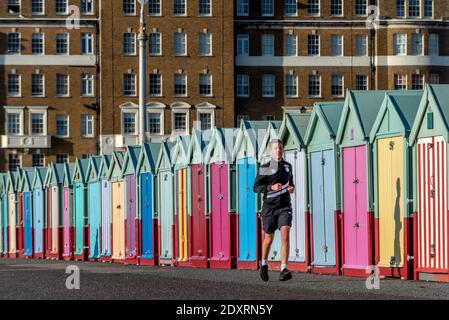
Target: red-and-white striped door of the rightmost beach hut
x=432 y=205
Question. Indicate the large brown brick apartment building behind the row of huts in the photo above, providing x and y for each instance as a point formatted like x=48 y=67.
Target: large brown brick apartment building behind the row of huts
x=211 y=60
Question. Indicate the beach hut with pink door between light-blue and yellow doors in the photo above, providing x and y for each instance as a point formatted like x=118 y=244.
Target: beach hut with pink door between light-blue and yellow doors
x=359 y=113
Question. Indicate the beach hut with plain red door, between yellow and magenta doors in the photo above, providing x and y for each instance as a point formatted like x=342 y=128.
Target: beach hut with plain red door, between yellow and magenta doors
x=199 y=219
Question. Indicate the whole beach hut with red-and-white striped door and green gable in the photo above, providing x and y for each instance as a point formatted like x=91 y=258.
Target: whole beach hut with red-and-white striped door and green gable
x=429 y=138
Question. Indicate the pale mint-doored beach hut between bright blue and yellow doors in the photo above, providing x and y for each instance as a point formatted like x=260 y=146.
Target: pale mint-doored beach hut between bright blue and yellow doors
x=165 y=204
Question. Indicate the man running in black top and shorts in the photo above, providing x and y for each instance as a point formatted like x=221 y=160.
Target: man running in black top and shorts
x=275 y=181
